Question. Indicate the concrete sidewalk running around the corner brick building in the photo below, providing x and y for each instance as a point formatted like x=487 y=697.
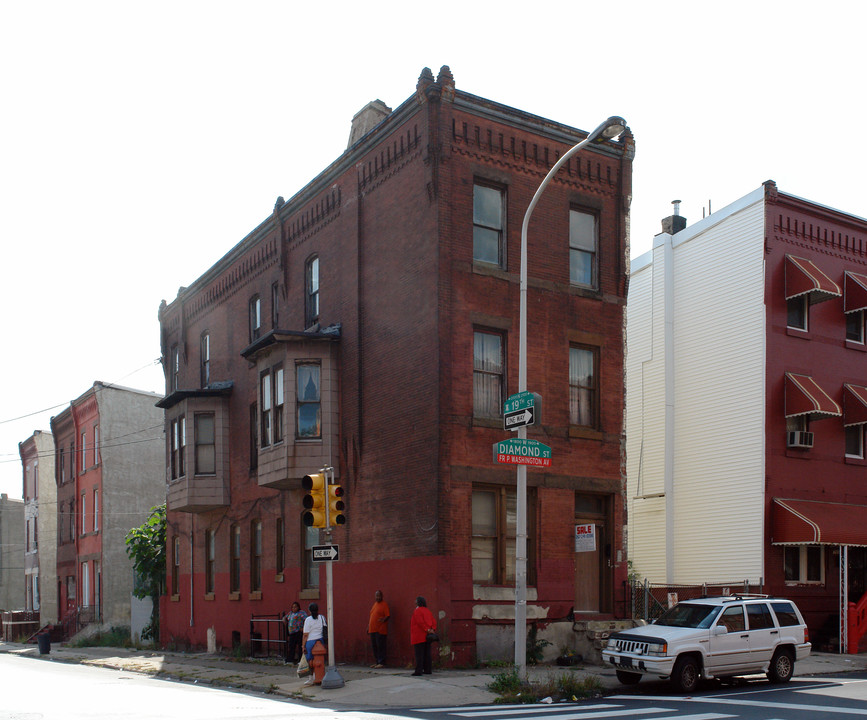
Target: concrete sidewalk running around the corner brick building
x=363 y=687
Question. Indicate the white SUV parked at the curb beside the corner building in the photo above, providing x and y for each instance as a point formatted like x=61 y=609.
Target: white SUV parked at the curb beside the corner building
x=713 y=638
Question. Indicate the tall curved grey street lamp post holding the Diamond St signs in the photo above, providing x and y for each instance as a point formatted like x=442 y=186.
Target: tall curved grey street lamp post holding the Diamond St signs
x=609 y=129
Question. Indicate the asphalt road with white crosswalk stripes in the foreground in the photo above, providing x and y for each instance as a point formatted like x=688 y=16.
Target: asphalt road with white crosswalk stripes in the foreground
x=58 y=691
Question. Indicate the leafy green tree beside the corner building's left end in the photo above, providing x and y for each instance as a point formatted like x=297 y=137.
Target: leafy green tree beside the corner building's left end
x=146 y=546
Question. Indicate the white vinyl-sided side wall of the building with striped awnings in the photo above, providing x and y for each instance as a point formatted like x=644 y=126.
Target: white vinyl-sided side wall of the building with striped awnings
x=695 y=401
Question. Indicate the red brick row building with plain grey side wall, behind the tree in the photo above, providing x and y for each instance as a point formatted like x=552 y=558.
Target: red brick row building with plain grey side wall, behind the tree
x=107 y=467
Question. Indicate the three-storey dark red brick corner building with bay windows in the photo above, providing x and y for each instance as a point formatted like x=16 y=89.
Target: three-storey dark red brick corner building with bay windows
x=370 y=324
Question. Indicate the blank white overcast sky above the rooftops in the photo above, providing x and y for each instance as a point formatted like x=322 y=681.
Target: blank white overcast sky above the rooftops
x=141 y=141
